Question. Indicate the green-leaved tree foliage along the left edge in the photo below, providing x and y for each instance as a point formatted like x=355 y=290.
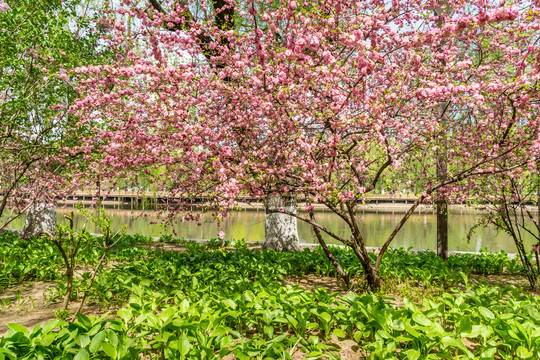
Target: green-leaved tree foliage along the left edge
x=40 y=41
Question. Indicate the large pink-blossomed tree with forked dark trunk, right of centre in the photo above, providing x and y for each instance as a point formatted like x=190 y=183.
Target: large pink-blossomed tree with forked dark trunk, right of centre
x=320 y=100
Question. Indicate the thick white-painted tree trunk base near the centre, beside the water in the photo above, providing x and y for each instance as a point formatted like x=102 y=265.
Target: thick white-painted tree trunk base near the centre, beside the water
x=281 y=231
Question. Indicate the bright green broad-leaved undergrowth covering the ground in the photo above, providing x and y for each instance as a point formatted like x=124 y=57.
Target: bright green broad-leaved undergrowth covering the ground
x=210 y=303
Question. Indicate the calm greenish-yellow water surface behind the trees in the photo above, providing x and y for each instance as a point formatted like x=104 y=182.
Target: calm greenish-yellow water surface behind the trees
x=418 y=232
